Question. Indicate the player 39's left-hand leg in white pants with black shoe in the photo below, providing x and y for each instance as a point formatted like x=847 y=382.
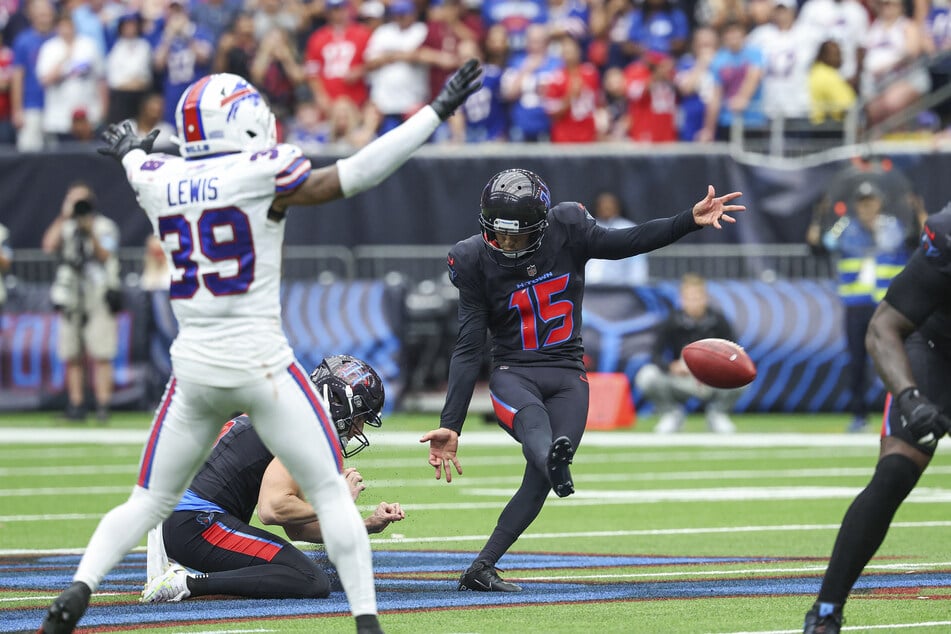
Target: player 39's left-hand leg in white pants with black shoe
x=179 y=441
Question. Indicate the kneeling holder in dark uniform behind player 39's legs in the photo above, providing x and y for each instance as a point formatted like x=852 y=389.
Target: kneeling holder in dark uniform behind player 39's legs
x=209 y=530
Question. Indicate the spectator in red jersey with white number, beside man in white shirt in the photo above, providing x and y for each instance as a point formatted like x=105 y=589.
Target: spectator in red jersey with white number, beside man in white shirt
x=334 y=58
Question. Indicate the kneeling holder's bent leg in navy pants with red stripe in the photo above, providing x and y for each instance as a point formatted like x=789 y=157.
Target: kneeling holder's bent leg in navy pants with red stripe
x=240 y=560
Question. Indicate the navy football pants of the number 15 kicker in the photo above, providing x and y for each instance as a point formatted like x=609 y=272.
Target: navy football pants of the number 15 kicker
x=535 y=406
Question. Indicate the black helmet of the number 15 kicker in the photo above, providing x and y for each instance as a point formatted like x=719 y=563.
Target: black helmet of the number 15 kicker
x=514 y=202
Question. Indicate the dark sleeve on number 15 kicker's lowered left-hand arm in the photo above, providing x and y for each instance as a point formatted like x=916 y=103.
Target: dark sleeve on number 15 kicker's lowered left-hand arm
x=467 y=354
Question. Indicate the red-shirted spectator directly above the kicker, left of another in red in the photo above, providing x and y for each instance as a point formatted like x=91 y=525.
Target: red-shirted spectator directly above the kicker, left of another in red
x=573 y=96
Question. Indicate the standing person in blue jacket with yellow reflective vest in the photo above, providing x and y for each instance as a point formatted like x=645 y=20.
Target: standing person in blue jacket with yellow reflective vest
x=871 y=249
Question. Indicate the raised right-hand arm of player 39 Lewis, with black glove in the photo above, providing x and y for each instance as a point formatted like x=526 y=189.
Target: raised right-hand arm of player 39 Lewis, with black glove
x=372 y=164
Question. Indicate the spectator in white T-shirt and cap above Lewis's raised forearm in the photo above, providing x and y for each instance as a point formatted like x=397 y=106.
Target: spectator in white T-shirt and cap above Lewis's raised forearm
x=399 y=81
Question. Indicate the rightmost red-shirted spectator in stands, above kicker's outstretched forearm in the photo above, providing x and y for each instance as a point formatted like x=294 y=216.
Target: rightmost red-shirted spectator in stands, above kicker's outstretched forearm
x=651 y=98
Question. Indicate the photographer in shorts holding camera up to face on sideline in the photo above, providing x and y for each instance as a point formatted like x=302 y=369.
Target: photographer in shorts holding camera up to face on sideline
x=86 y=294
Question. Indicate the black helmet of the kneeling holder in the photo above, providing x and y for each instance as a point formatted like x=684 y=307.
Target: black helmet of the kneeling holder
x=352 y=390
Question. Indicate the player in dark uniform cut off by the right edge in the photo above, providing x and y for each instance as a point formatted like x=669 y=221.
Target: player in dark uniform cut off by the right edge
x=909 y=338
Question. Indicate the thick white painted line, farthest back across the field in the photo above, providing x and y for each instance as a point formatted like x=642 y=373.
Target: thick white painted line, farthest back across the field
x=494 y=438
